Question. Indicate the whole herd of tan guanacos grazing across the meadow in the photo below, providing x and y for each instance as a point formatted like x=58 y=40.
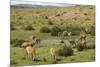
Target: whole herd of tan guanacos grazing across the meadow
x=30 y=49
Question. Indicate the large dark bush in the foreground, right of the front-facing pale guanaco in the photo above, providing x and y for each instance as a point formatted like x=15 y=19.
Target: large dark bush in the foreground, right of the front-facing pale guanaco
x=65 y=51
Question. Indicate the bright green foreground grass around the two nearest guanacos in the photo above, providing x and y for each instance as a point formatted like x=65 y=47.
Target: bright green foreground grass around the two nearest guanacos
x=84 y=56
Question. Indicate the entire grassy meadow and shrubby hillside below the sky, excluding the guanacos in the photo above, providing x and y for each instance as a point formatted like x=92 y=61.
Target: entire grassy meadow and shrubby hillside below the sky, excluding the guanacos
x=45 y=24
